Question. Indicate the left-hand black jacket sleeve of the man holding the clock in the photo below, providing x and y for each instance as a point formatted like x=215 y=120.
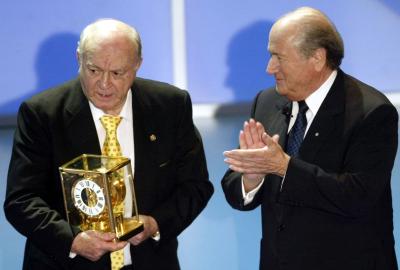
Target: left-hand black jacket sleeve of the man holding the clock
x=32 y=187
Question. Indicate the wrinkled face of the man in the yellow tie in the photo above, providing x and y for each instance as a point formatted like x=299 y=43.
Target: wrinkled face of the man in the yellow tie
x=107 y=71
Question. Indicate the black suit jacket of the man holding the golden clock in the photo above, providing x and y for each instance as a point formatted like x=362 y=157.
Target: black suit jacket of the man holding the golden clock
x=171 y=178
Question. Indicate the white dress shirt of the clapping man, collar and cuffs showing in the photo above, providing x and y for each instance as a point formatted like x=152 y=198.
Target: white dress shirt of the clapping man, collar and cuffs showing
x=314 y=102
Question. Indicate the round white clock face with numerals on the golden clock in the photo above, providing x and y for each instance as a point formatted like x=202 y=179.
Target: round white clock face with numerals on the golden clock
x=88 y=197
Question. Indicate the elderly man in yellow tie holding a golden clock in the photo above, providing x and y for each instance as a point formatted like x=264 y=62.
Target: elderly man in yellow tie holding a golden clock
x=155 y=130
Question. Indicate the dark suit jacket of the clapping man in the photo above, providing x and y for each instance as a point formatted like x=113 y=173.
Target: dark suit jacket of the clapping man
x=335 y=207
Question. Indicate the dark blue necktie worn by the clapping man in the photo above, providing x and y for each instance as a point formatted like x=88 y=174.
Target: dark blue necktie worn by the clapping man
x=296 y=134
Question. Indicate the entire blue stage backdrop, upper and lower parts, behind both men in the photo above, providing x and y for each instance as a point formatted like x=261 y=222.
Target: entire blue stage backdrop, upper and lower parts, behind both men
x=220 y=56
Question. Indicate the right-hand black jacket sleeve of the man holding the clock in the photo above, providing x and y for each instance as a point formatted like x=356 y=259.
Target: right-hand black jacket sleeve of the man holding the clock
x=192 y=188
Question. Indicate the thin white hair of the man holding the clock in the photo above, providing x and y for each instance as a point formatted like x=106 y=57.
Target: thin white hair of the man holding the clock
x=103 y=27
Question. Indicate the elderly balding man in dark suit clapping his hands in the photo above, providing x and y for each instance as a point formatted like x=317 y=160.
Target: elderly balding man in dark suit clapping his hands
x=317 y=155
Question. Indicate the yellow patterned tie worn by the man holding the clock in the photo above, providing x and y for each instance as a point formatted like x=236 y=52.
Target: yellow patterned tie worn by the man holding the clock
x=112 y=148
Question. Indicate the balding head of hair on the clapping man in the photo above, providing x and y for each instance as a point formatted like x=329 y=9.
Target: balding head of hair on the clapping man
x=315 y=31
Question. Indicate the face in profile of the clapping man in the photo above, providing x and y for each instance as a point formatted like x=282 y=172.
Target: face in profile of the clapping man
x=294 y=74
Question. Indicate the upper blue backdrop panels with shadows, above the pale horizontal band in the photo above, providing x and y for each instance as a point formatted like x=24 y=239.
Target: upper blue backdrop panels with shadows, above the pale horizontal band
x=226 y=43
